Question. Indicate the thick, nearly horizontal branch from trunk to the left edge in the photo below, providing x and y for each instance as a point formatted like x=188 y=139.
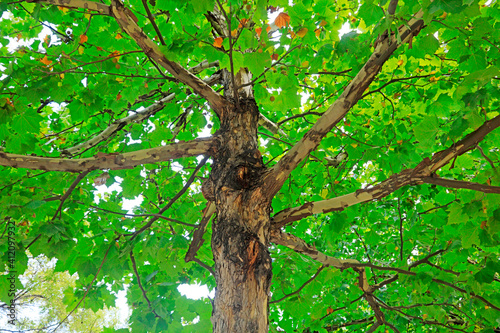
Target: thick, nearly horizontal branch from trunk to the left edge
x=112 y=161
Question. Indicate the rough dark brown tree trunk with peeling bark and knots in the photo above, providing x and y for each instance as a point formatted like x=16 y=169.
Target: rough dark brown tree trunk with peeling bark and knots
x=240 y=235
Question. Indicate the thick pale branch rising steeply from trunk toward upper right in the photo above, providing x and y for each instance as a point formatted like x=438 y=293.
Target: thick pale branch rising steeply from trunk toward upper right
x=353 y=92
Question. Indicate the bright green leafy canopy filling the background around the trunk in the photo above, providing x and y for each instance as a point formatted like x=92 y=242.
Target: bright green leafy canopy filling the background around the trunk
x=86 y=74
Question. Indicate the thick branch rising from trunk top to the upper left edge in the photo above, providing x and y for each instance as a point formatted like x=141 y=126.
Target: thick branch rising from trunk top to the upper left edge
x=128 y=22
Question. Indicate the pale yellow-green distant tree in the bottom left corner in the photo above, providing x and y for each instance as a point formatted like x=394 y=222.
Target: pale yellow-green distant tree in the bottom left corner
x=41 y=303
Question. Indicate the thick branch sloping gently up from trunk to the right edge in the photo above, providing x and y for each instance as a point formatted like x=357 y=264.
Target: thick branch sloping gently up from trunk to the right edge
x=416 y=175
